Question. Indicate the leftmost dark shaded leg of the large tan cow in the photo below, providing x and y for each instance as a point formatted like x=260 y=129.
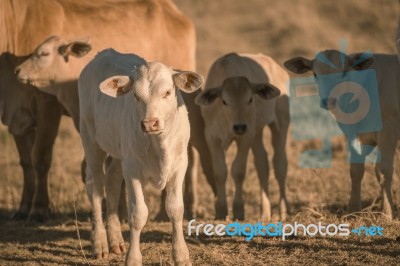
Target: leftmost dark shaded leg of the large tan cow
x=24 y=145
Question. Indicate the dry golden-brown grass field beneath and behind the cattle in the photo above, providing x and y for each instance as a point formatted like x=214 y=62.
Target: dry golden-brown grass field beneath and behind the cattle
x=281 y=29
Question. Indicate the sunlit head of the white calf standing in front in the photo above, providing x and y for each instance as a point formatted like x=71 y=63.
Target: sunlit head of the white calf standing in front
x=156 y=92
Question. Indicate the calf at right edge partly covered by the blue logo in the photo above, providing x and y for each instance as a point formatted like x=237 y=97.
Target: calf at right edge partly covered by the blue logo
x=333 y=67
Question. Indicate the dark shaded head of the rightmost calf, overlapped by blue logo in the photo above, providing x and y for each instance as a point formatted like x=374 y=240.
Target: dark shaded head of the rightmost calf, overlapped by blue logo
x=329 y=67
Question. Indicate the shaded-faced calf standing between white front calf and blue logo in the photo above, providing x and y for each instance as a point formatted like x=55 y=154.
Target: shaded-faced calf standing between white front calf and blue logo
x=240 y=98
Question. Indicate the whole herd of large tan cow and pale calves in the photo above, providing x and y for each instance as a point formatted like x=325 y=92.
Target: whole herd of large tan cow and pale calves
x=141 y=116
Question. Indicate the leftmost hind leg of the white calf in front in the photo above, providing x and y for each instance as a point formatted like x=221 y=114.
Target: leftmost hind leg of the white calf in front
x=95 y=187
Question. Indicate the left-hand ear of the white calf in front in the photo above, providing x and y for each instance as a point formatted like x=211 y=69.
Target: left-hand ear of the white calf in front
x=116 y=86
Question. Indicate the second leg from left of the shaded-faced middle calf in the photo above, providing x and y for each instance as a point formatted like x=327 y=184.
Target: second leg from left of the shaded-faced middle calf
x=238 y=173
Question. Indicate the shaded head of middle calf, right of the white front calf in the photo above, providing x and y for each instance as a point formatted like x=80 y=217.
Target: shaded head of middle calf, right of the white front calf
x=236 y=99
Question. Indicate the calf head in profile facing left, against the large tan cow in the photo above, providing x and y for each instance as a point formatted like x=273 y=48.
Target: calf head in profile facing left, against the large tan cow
x=49 y=62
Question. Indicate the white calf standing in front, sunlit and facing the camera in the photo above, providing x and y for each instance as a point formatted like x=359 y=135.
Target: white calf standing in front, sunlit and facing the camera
x=145 y=125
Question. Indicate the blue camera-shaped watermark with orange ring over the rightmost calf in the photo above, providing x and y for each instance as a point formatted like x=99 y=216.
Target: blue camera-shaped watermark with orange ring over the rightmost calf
x=343 y=103
